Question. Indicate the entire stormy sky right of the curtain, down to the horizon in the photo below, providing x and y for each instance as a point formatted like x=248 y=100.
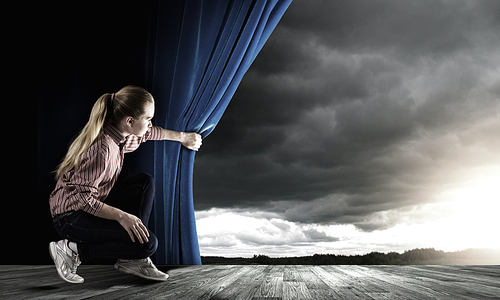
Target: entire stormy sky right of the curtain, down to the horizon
x=361 y=126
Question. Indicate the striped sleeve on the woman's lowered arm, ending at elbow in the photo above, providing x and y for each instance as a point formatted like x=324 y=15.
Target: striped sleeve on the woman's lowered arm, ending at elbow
x=83 y=186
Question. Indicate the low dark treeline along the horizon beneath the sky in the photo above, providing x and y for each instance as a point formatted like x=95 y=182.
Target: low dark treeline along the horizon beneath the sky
x=428 y=256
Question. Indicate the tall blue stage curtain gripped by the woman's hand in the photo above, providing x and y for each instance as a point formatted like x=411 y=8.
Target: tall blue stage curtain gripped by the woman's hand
x=199 y=52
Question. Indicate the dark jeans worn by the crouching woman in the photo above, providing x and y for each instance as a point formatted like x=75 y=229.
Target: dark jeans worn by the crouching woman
x=101 y=238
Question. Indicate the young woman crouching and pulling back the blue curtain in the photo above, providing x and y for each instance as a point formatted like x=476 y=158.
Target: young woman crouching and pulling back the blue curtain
x=96 y=215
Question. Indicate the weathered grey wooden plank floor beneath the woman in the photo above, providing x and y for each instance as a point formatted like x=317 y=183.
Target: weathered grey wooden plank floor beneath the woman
x=259 y=282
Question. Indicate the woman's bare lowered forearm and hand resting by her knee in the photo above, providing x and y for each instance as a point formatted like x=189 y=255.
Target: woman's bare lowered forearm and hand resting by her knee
x=132 y=224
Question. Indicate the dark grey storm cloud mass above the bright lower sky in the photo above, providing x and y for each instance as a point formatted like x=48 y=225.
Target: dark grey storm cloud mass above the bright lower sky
x=355 y=108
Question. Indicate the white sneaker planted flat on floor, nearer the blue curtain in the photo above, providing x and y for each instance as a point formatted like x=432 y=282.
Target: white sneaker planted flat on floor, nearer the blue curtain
x=141 y=267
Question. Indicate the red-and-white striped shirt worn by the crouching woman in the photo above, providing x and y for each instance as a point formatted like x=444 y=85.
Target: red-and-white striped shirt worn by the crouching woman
x=88 y=186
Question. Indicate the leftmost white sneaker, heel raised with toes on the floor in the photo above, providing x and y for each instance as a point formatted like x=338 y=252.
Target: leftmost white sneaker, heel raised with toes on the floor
x=66 y=261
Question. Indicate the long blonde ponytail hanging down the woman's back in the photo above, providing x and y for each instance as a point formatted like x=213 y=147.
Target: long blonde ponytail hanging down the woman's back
x=86 y=137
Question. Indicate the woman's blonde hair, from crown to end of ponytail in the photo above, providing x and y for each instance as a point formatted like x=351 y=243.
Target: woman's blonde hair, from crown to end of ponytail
x=129 y=101
